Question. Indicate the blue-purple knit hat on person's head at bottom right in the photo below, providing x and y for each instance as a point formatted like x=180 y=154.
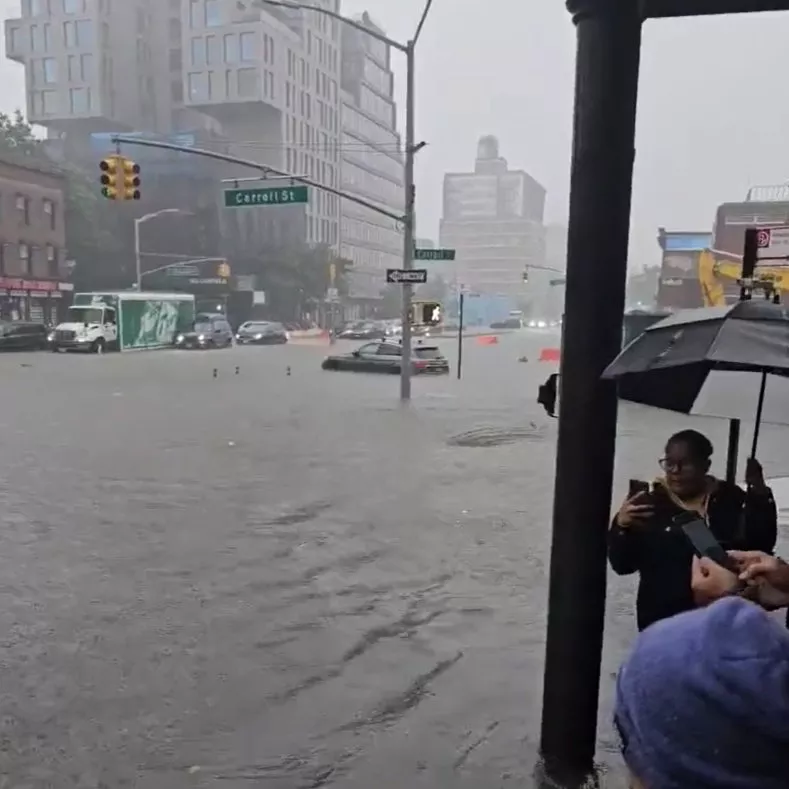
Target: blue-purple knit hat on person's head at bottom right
x=703 y=701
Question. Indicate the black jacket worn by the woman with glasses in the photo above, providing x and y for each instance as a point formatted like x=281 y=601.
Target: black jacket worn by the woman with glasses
x=663 y=556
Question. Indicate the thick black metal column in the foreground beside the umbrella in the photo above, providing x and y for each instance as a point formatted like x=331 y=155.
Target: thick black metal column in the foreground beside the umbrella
x=607 y=65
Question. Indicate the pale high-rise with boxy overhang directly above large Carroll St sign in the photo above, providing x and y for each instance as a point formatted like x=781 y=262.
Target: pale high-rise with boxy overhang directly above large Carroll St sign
x=271 y=77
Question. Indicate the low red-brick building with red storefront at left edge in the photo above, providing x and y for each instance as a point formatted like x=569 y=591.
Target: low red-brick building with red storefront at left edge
x=32 y=240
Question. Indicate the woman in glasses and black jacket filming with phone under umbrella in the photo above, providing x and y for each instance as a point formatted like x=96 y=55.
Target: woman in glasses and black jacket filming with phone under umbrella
x=643 y=540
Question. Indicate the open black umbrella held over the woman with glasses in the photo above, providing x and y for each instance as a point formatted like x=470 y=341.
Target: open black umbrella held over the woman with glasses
x=714 y=361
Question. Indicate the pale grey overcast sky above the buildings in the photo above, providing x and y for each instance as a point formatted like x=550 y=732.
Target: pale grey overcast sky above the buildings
x=713 y=113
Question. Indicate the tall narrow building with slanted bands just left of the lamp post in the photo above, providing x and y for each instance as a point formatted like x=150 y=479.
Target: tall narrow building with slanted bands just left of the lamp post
x=372 y=163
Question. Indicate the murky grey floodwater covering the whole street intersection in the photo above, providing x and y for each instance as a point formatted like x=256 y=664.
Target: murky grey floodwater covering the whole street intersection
x=284 y=580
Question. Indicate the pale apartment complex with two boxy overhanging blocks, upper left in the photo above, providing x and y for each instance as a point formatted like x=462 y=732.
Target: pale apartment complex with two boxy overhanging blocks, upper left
x=266 y=81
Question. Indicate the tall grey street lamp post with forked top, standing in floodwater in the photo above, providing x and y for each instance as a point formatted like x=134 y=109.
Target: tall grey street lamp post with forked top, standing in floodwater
x=411 y=148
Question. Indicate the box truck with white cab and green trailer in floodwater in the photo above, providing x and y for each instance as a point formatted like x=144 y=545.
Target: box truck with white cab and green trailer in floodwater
x=123 y=321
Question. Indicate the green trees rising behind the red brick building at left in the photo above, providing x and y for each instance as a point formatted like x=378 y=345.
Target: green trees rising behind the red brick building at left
x=91 y=237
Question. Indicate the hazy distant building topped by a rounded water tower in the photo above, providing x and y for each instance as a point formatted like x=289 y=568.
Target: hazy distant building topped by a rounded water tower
x=493 y=217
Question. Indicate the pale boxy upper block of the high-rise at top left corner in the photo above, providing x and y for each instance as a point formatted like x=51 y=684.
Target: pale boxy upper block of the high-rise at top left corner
x=93 y=66
